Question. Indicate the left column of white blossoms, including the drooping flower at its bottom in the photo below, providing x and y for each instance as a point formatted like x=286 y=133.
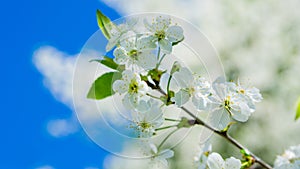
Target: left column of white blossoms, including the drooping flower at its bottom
x=140 y=52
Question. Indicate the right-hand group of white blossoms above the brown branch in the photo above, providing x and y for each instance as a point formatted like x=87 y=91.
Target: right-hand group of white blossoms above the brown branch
x=223 y=99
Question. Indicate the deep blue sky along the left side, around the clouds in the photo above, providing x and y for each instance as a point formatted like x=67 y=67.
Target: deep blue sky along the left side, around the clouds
x=27 y=105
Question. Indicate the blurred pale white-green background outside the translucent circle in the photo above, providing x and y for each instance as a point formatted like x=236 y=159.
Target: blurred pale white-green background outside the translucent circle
x=258 y=43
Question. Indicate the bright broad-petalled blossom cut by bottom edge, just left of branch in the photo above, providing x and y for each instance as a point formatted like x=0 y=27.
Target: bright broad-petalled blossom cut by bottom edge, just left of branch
x=215 y=161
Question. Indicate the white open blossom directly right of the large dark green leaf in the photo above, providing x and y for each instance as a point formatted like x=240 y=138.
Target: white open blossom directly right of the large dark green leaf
x=134 y=88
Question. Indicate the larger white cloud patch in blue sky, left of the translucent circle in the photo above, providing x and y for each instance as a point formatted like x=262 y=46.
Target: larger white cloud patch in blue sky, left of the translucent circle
x=57 y=68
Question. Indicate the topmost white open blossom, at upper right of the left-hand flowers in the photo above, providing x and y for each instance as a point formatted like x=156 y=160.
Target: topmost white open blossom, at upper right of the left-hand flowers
x=163 y=33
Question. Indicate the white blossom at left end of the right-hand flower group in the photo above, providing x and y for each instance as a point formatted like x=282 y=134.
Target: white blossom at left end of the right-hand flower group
x=192 y=86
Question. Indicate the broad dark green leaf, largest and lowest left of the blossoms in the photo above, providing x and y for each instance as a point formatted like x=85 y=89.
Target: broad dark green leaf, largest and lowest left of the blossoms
x=102 y=87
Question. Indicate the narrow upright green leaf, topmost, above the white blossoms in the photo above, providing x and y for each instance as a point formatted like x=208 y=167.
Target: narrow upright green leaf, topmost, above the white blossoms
x=104 y=24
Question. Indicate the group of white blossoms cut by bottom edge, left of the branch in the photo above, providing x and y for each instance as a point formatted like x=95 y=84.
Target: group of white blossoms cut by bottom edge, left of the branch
x=206 y=159
